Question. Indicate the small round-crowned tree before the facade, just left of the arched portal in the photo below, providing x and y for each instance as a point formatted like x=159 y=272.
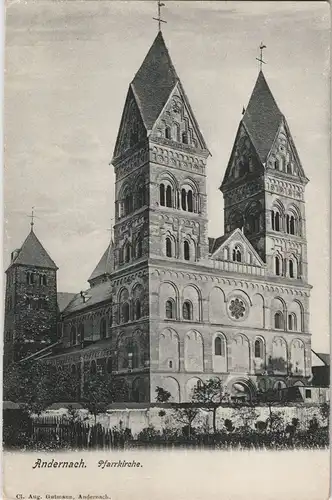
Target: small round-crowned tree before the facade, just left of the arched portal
x=210 y=395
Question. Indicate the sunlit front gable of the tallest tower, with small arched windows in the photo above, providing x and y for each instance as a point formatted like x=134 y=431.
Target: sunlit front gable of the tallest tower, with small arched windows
x=177 y=117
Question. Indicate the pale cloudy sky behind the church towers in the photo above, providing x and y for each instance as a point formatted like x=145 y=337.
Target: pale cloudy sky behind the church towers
x=68 y=65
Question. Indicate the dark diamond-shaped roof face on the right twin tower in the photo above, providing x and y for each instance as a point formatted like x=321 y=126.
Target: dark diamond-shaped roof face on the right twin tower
x=262 y=117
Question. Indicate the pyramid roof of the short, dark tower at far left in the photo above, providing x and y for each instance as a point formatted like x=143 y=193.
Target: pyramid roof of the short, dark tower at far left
x=32 y=253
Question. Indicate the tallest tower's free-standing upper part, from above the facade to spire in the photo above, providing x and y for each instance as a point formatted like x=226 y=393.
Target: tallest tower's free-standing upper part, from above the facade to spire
x=159 y=162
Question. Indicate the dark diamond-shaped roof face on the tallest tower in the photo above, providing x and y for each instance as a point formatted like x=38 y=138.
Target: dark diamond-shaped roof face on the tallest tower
x=154 y=81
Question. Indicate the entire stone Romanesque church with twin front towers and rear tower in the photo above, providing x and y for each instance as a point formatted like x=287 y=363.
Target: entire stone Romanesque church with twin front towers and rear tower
x=166 y=305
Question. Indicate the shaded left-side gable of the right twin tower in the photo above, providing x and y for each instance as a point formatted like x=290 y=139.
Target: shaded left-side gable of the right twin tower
x=244 y=159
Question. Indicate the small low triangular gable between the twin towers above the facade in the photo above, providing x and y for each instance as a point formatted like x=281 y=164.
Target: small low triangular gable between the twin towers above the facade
x=237 y=241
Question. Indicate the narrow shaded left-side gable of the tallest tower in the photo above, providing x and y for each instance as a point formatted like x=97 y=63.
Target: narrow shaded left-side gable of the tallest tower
x=132 y=129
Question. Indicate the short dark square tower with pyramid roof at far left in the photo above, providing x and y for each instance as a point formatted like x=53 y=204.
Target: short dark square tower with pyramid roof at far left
x=31 y=301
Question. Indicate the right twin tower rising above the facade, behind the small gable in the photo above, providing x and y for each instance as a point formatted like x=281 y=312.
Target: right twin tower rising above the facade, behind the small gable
x=263 y=187
